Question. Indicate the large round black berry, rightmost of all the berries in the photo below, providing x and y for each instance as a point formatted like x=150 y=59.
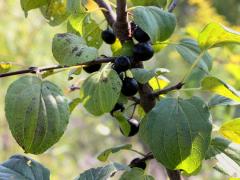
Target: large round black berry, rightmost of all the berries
x=143 y=52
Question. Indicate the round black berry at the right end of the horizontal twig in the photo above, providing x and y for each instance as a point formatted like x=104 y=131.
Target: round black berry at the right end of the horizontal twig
x=122 y=64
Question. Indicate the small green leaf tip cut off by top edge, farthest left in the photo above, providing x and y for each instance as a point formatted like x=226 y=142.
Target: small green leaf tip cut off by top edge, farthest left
x=32 y=4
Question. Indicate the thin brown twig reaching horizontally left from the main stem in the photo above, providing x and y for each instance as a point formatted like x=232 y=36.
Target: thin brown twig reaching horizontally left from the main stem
x=34 y=70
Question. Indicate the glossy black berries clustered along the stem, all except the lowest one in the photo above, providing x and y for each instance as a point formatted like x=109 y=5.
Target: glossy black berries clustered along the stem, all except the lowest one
x=142 y=51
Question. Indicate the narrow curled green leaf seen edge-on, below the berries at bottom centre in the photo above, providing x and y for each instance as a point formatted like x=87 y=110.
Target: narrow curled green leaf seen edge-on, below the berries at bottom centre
x=103 y=156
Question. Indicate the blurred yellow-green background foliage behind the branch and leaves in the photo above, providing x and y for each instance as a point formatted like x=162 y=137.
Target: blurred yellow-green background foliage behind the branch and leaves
x=27 y=42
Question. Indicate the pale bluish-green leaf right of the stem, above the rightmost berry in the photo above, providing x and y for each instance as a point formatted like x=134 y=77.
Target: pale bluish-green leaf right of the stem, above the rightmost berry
x=158 y=24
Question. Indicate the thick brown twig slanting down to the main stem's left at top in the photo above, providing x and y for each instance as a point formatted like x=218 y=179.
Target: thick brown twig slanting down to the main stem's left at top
x=108 y=12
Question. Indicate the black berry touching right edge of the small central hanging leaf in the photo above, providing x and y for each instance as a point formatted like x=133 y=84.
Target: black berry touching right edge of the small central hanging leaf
x=129 y=87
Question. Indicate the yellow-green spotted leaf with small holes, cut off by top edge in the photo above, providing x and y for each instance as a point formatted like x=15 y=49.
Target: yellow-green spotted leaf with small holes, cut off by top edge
x=55 y=11
